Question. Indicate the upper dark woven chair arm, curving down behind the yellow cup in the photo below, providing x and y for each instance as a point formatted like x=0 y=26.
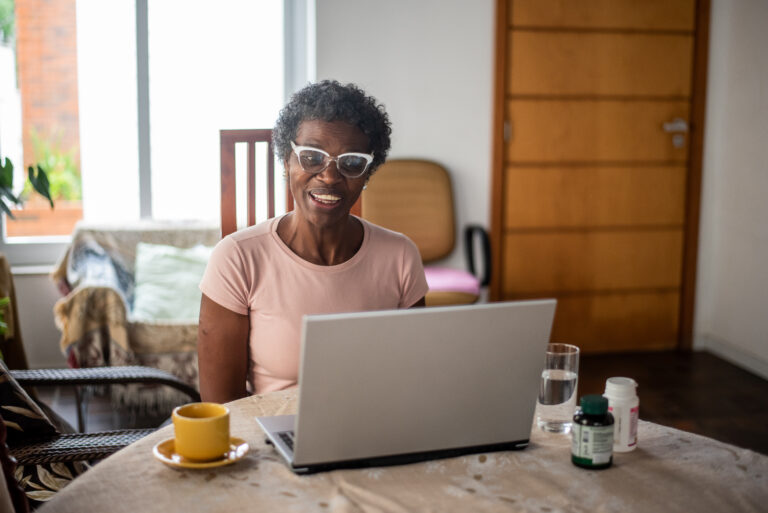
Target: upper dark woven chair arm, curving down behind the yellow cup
x=103 y=376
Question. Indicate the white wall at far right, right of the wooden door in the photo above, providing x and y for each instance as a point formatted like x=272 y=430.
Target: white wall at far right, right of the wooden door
x=732 y=289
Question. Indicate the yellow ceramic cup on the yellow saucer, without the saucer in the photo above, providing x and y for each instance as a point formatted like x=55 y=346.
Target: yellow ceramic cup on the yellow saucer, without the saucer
x=201 y=431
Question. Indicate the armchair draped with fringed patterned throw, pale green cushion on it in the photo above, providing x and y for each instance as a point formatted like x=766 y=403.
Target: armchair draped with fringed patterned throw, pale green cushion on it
x=109 y=316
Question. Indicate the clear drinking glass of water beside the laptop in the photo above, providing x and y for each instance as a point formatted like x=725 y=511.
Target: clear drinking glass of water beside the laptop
x=557 y=393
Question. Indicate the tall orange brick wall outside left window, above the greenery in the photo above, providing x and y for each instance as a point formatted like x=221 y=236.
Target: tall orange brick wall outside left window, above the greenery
x=47 y=66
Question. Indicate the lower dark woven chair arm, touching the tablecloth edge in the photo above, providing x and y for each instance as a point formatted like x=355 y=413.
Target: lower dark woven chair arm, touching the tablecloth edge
x=76 y=447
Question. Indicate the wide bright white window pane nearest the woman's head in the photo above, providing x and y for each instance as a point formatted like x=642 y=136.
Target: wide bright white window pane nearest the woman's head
x=197 y=88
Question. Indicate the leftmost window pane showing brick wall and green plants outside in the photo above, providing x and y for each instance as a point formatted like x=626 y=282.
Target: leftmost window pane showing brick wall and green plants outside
x=38 y=117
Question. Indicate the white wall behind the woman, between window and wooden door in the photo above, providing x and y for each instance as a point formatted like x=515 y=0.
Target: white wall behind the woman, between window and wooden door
x=431 y=63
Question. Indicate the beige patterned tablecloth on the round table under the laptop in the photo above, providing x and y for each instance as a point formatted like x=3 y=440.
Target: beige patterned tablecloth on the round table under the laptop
x=670 y=471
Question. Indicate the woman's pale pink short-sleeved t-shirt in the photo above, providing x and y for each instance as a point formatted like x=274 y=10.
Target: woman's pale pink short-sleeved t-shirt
x=253 y=272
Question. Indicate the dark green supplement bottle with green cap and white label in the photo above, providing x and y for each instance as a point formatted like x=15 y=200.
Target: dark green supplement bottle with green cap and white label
x=592 y=433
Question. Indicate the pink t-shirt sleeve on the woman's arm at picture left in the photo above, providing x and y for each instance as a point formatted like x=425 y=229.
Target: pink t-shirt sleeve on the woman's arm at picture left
x=226 y=280
